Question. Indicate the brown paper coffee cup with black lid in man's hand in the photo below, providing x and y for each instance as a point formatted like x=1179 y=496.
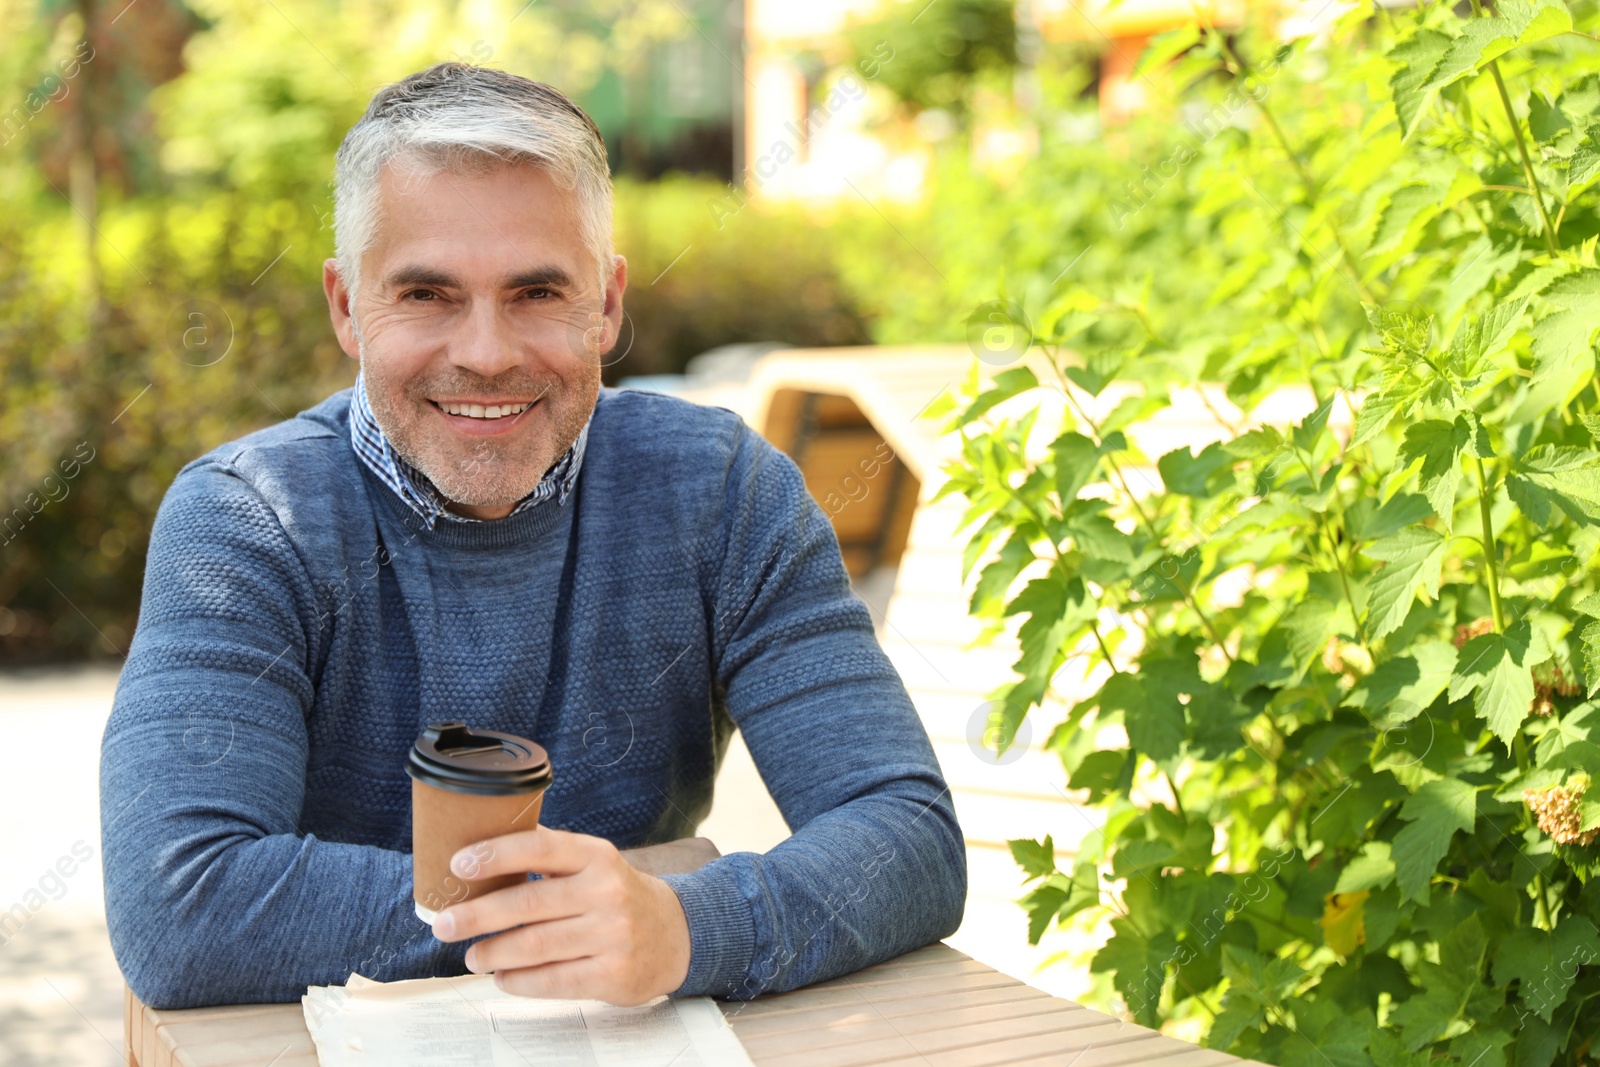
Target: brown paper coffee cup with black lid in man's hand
x=468 y=786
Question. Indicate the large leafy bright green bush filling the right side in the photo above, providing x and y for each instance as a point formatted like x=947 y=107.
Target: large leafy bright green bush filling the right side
x=1351 y=821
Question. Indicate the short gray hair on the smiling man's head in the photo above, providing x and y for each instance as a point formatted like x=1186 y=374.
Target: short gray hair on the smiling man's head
x=458 y=119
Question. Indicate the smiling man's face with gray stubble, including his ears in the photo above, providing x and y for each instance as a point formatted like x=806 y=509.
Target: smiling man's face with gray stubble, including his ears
x=481 y=329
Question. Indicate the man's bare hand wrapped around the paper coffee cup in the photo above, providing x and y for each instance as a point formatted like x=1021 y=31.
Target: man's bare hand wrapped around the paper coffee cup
x=594 y=927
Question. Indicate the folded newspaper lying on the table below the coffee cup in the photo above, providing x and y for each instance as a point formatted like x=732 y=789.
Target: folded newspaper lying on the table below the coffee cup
x=470 y=1023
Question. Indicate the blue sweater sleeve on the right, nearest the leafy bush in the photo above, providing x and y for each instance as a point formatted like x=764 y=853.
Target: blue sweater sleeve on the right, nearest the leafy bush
x=876 y=865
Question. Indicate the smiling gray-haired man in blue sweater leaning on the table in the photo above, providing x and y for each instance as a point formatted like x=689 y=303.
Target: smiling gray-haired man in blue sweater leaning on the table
x=479 y=532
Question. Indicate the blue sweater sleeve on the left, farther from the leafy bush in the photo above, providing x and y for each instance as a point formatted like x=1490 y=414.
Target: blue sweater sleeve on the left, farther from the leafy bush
x=212 y=897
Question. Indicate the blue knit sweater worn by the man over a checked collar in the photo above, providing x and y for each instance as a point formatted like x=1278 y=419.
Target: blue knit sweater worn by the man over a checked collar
x=302 y=626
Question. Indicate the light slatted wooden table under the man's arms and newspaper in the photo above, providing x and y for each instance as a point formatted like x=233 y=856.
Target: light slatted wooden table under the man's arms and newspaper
x=934 y=1007
